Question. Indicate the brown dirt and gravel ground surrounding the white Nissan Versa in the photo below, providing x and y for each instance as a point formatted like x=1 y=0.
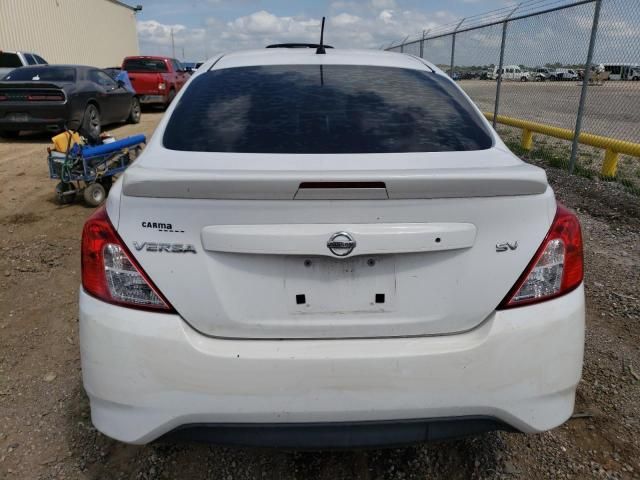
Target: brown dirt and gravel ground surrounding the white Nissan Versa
x=46 y=432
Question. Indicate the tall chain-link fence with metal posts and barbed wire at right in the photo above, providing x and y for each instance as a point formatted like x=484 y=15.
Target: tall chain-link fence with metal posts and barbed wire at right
x=548 y=73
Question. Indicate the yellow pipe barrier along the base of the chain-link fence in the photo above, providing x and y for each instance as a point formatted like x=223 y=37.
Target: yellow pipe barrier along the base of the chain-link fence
x=612 y=146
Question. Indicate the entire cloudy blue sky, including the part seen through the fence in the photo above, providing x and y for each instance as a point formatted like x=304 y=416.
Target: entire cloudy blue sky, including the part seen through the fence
x=203 y=28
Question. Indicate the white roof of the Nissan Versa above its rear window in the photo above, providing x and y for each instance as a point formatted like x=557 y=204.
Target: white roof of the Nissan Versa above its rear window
x=308 y=56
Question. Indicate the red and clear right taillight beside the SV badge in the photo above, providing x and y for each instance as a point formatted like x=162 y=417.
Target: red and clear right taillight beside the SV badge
x=557 y=266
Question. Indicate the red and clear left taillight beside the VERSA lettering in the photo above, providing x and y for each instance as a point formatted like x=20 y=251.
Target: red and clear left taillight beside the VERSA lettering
x=110 y=272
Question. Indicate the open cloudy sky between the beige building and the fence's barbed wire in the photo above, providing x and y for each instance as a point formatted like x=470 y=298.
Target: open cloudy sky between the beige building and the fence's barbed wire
x=207 y=27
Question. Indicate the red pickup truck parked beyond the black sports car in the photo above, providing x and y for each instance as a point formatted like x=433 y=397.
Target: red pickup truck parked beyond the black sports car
x=156 y=80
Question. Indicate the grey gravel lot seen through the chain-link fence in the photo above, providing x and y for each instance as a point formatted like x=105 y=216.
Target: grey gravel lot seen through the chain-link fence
x=611 y=109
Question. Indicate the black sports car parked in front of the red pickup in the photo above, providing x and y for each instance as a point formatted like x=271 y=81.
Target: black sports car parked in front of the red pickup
x=55 y=97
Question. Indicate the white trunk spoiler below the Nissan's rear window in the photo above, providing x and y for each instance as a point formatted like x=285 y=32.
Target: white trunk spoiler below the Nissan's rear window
x=522 y=179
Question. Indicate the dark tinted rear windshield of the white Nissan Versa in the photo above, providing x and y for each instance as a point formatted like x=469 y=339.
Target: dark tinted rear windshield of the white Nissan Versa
x=328 y=109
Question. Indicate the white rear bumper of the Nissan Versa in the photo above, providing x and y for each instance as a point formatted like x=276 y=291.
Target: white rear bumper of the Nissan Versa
x=147 y=374
